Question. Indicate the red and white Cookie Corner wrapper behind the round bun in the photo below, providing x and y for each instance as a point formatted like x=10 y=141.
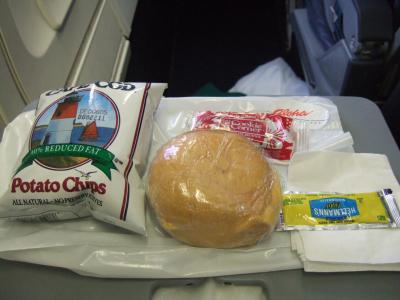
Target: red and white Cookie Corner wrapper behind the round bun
x=271 y=132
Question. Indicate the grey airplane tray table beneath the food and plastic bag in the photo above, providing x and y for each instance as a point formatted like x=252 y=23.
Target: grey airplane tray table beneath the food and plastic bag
x=371 y=134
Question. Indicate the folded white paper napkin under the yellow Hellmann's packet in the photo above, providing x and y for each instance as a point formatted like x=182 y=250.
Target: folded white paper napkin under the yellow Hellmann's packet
x=345 y=250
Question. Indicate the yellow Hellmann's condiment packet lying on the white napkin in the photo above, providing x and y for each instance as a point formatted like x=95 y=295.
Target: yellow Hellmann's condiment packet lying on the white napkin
x=318 y=211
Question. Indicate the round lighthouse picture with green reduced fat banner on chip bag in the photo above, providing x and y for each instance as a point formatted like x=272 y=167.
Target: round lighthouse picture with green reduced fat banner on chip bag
x=74 y=129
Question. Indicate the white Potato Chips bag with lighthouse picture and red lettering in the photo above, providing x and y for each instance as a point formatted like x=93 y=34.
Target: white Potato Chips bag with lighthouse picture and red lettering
x=85 y=155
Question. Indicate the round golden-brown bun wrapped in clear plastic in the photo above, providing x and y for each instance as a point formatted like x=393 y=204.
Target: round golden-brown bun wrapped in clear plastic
x=214 y=188
